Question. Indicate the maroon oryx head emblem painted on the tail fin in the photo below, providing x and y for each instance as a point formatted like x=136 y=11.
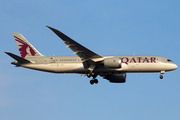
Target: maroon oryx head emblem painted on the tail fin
x=24 y=48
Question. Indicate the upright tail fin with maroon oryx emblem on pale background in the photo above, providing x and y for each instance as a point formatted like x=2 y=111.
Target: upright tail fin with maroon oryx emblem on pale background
x=25 y=48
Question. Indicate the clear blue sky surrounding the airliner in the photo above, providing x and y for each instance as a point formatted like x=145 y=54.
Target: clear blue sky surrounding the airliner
x=107 y=27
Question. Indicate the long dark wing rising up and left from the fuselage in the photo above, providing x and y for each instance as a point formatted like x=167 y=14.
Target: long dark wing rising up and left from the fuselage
x=81 y=51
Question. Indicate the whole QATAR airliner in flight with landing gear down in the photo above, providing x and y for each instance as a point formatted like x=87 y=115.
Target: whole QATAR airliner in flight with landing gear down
x=87 y=62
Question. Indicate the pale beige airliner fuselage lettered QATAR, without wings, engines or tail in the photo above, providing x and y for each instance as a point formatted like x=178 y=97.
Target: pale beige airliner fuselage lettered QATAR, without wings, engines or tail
x=73 y=64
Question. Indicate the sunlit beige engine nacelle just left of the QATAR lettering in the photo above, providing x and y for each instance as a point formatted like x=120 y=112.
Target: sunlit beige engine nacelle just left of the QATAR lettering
x=112 y=62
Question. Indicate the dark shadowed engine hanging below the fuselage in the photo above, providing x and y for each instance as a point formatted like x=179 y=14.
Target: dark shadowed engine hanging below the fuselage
x=116 y=78
